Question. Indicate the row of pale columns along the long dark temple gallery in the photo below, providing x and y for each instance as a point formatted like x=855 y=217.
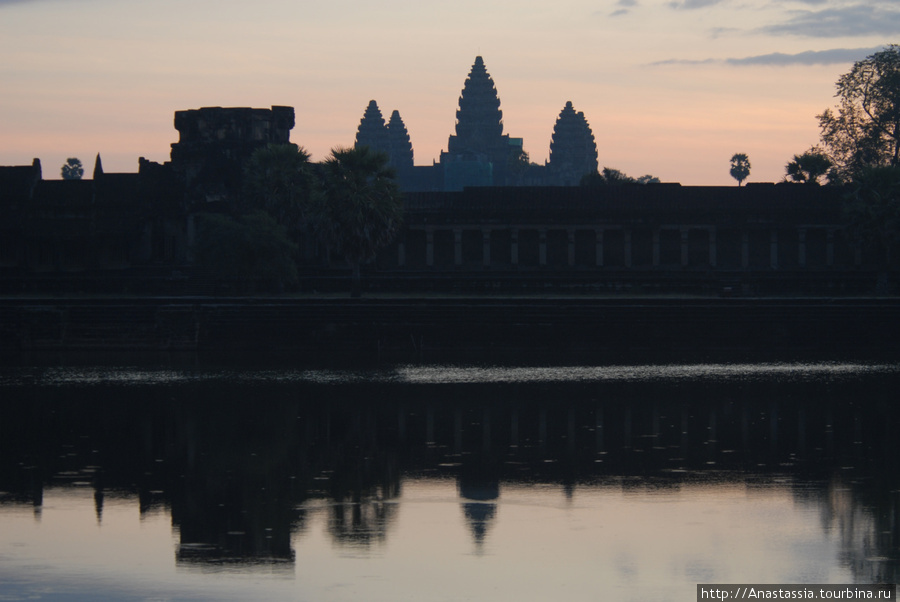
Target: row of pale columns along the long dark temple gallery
x=638 y=246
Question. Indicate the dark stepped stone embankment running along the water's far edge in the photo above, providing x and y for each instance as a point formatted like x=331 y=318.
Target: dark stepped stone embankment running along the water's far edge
x=456 y=326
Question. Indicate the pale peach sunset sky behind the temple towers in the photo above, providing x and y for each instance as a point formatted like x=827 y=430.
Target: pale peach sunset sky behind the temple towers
x=671 y=88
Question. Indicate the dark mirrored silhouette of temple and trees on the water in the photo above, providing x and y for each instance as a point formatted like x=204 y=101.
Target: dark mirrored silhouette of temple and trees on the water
x=235 y=463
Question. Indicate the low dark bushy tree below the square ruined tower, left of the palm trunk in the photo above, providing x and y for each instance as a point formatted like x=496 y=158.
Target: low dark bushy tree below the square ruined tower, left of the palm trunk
x=246 y=250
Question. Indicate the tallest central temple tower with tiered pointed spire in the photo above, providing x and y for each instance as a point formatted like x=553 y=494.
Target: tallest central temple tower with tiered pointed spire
x=479 y=153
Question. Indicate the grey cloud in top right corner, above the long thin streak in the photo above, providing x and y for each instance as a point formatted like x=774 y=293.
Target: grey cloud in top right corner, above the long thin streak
x=855 y=20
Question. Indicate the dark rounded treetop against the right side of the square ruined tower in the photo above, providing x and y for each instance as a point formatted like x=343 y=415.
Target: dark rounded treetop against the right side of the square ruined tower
x=278 y=179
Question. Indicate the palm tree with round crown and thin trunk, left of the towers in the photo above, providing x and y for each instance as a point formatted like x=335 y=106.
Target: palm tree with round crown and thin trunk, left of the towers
x=360 y=210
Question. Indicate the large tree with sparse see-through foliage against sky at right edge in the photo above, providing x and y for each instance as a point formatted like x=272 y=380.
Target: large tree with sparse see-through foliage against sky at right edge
x=864 y=129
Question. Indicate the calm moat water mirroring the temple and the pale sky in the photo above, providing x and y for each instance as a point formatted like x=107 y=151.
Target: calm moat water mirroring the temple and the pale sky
x=428 y=483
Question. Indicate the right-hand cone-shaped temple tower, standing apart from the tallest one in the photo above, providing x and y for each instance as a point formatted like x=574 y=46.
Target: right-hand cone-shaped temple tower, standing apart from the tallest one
x=573 y=150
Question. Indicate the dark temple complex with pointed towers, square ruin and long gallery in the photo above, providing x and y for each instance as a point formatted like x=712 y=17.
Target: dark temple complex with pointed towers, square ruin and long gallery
x=481 y=218
